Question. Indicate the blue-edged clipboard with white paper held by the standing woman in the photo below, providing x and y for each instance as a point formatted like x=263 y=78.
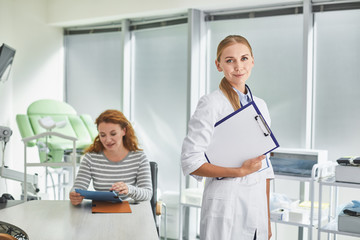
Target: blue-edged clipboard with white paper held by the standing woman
x=241 y=135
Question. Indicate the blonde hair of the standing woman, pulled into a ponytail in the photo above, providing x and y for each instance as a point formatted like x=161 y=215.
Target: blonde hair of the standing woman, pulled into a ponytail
x=224 y=85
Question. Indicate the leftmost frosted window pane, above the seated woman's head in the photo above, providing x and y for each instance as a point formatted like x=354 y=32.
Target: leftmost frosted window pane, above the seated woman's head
x=93 y=75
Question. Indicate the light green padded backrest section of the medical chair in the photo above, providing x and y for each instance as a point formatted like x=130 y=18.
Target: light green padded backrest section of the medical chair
x=80 y=127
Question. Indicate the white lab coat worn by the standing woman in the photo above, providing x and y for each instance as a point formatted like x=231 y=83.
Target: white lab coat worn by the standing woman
x=232 y=208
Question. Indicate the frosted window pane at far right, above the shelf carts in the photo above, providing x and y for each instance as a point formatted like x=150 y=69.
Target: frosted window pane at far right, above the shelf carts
x=337 y=72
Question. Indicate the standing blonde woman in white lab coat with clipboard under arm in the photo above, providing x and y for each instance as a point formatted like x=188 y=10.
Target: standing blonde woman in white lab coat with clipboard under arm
x=237 y=206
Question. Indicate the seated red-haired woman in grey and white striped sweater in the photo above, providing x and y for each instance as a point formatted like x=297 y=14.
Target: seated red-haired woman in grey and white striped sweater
x=114 y=161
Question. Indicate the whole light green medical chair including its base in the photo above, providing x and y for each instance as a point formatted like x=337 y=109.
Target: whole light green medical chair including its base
x=54 y=149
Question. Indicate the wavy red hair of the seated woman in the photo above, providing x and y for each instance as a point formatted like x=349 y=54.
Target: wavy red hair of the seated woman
x=114 y=116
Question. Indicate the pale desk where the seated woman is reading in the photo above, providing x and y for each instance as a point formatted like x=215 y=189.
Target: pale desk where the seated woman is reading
x=60 y=220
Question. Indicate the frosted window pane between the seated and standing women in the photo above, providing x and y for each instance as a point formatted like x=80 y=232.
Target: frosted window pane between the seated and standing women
x=160 y=96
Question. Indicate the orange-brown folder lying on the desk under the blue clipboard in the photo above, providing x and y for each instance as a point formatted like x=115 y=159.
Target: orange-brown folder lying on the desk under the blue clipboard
x=110 y=207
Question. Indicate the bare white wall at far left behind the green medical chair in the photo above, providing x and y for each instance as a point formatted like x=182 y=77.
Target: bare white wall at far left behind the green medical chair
x=37 y=70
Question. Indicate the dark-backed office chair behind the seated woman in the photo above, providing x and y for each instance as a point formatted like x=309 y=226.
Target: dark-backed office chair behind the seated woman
x=157 y=206
